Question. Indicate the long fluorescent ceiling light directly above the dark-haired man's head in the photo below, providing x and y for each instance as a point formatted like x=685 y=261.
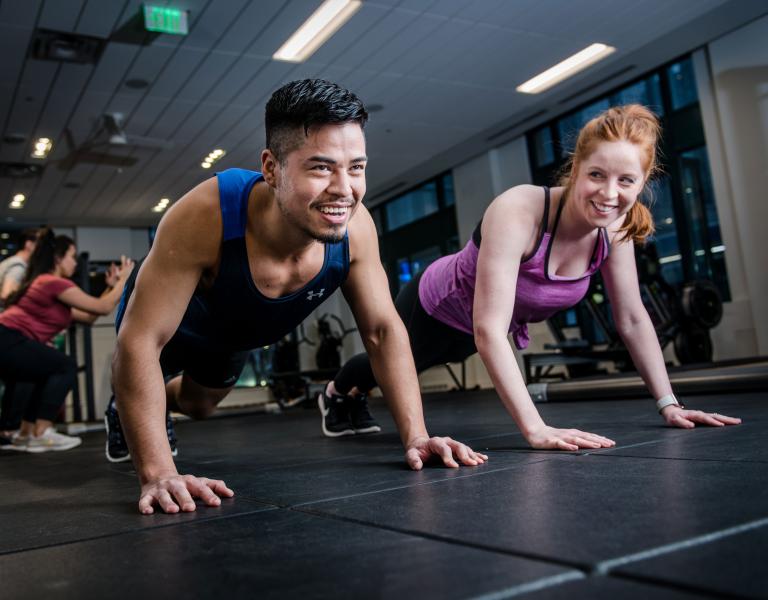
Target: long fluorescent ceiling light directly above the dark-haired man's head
x=316 y=30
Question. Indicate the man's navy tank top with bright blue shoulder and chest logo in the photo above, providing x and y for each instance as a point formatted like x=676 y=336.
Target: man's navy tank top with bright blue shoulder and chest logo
x=233 y=315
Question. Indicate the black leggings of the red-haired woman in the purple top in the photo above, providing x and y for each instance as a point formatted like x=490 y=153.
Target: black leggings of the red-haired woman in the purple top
x=432 y=343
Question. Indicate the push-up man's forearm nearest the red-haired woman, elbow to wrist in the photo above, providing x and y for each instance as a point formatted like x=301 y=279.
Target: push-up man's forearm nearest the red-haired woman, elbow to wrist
x=393 y=367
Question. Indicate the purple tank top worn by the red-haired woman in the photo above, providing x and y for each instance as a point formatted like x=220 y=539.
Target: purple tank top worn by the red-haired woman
x=447 y=288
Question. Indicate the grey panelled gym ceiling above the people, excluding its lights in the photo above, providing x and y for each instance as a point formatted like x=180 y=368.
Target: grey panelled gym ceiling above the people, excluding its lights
x=442 y=72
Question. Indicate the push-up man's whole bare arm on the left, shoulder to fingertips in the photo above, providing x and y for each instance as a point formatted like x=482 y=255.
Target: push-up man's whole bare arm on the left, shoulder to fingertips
x=187 y=242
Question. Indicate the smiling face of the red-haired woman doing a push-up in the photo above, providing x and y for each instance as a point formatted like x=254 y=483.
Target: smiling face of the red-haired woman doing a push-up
x=609 y=182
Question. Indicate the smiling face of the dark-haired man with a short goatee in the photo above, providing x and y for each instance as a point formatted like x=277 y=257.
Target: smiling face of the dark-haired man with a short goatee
x=319 y=185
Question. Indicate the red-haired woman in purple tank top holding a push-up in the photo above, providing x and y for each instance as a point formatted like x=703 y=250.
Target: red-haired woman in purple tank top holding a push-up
x=531 y=256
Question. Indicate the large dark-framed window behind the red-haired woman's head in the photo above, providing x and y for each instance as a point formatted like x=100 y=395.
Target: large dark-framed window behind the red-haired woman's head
x=687 y=239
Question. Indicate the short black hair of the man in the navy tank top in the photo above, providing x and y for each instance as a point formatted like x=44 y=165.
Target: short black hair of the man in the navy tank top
x=303 y=104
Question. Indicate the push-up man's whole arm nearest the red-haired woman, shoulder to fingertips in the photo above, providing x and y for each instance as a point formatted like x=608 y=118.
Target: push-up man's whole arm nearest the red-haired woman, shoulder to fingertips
x=386 y=341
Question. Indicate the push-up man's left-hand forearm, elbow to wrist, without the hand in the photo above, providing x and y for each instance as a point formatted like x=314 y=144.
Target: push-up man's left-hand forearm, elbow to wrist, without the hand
x=140 y=393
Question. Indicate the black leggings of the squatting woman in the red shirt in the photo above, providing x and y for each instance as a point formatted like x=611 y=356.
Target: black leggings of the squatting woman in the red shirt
x=52 y=373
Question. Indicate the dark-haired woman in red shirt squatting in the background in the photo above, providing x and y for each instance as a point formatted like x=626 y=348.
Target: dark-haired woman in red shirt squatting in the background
x=45 y=304
